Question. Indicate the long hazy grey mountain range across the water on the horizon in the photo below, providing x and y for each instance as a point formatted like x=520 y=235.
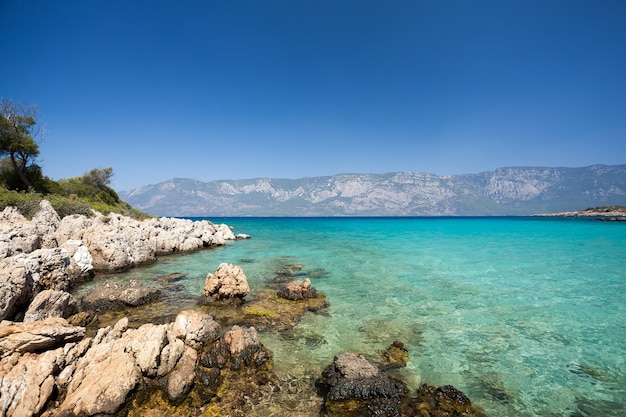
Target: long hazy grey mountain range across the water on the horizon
x=505 y=191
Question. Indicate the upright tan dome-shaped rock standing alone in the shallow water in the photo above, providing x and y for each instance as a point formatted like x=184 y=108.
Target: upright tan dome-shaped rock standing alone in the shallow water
x=228 y=284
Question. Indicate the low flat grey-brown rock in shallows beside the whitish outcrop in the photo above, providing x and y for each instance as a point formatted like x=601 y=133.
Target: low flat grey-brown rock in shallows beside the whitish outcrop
x=112 y=295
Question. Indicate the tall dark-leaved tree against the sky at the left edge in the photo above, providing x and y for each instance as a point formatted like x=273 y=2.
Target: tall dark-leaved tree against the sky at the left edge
x=18 y=134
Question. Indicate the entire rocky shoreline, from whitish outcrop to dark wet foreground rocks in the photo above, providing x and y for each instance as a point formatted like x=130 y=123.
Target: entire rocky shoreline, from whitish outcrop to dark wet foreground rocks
x=56 y=359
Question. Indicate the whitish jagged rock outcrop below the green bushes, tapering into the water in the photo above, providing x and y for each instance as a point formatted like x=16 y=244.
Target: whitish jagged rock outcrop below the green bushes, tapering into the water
x=52 y=253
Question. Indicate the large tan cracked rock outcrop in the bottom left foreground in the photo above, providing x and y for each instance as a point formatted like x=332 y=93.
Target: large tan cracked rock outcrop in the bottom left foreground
x=49 y=360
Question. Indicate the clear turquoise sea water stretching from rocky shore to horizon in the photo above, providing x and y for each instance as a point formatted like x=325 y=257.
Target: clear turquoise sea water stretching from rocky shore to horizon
x=527 y=316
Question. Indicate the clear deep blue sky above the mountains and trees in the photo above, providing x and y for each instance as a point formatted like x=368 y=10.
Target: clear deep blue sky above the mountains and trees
x=289 y=89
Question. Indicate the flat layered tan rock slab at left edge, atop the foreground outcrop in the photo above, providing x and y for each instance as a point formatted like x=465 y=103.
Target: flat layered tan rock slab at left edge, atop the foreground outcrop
x=37 y=336
